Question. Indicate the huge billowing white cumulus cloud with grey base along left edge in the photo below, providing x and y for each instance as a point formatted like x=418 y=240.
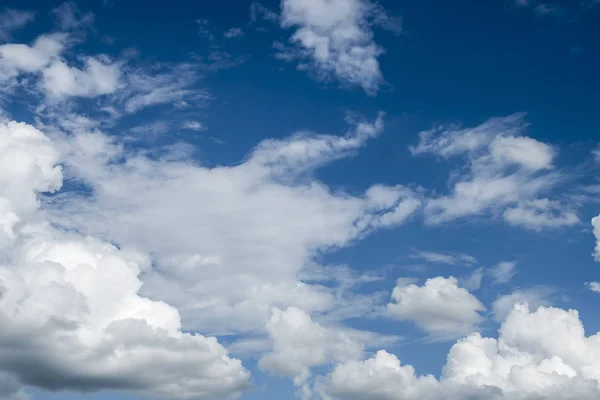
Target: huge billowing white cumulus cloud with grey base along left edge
x=70 y=309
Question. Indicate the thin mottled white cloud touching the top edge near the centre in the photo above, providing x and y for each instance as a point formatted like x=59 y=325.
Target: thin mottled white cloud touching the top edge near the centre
x=335 y=40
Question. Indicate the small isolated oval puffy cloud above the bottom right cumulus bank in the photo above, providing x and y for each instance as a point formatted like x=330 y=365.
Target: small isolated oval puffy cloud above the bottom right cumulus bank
x=440 y=307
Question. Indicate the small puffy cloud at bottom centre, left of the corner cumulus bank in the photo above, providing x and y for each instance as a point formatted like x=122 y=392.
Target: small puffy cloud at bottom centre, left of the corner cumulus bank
x=299 y=344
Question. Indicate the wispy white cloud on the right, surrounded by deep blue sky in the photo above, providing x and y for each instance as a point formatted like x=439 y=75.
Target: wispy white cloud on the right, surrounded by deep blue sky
x=507 y=173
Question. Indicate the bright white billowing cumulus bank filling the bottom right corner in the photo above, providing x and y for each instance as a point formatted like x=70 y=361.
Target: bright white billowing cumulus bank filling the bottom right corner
x=538 y=355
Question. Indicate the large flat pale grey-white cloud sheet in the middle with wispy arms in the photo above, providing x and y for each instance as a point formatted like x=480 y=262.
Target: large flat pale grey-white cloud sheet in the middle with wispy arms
x=259 y=223
